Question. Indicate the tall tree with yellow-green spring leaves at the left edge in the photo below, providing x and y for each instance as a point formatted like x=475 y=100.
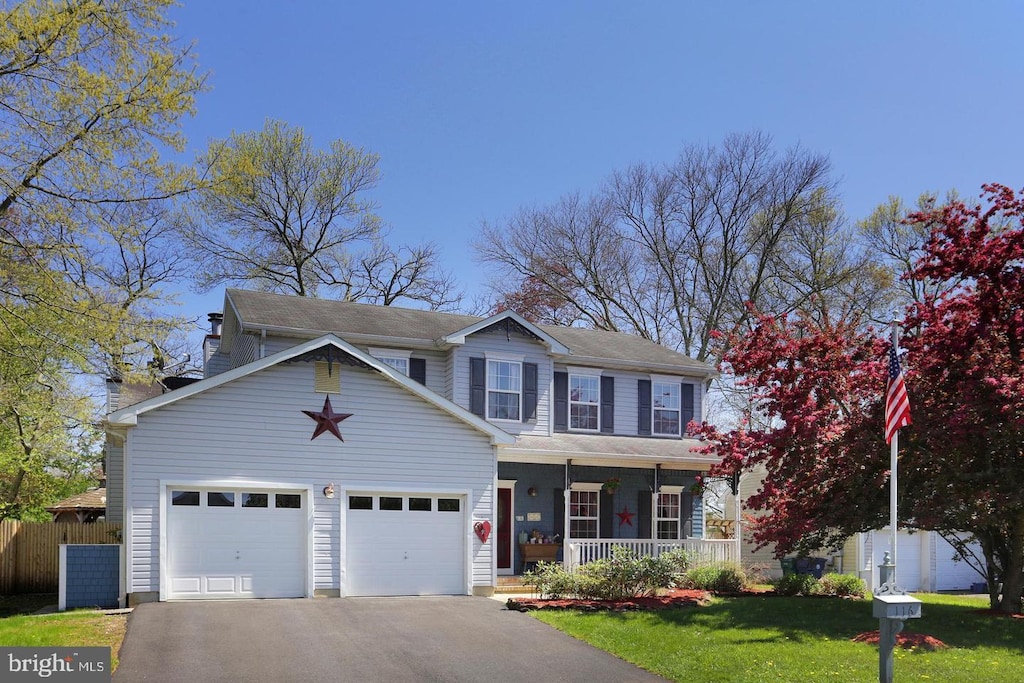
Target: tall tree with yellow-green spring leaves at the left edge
x=92 y=93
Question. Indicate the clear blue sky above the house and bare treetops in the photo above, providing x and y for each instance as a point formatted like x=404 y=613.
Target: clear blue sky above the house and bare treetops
x=478 y=109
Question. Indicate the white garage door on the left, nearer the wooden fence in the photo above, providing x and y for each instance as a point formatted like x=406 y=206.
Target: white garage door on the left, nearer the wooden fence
x=236 y=544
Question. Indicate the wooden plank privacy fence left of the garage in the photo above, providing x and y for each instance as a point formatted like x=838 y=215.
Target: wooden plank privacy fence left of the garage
x=30 y=552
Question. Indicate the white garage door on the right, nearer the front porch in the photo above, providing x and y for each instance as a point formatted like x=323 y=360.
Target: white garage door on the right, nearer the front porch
x=405 y=544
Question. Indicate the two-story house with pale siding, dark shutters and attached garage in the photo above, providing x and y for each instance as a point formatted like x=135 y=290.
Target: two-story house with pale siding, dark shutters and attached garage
x=342 y=449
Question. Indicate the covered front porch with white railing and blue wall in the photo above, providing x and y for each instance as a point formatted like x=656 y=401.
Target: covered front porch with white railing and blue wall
x=573 y=498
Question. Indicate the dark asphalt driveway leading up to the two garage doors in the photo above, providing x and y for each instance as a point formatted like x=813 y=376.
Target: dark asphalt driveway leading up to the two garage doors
x=356 y=639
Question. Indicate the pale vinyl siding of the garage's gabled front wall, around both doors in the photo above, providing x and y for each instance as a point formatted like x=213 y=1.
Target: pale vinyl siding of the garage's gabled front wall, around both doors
x=254 y=429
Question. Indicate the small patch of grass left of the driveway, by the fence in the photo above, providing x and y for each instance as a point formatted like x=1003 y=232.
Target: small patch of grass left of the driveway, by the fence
x=73 y=629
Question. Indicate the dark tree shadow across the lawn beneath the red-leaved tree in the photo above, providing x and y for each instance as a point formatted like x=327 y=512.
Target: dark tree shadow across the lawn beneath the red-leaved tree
x=794 y=620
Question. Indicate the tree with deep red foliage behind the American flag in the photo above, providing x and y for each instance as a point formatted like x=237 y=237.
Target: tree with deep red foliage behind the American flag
x=819 y=389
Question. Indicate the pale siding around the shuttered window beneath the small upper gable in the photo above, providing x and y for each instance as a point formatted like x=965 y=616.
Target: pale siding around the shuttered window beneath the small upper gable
x=496 y=343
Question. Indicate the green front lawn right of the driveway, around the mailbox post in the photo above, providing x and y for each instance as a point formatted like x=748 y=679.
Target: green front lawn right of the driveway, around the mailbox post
x=801 y=639
